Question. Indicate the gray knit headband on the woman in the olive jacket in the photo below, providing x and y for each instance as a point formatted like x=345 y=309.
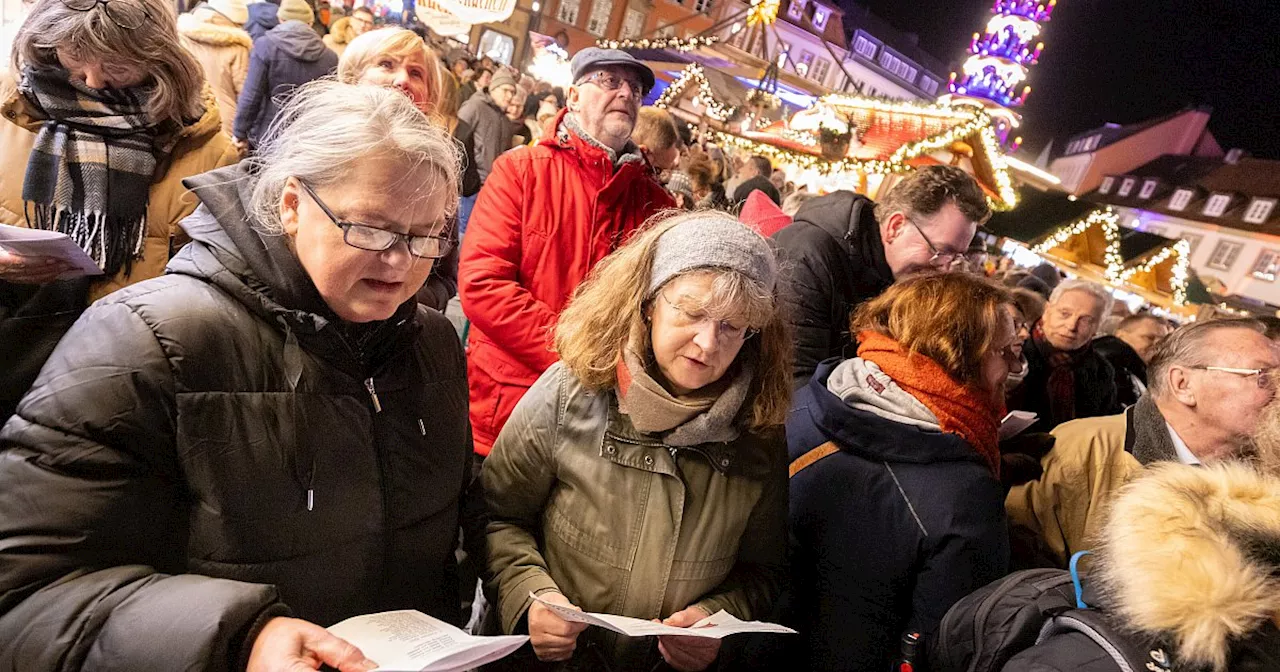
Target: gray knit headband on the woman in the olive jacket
x=712 y=241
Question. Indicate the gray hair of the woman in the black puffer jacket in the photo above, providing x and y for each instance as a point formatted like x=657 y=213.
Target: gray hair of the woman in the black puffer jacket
x=330 y=131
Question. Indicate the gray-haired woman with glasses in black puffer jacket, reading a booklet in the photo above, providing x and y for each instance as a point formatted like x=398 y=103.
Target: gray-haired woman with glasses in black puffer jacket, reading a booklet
x=271 y=438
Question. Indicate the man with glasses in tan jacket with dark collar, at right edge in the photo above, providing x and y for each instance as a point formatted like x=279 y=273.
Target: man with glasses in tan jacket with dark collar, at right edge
x=1209 y=387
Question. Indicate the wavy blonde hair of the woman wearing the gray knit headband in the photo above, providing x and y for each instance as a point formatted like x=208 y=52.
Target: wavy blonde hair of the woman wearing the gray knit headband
x=610 y=310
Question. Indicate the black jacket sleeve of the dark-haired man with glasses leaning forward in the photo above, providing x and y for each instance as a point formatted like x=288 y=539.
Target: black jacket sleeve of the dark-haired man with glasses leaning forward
x=808 y=296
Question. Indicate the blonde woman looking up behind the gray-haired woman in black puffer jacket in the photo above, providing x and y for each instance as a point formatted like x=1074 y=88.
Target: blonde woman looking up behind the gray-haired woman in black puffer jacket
x=400 y=60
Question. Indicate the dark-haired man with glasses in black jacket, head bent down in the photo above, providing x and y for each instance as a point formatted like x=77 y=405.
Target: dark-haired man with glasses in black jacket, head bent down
x=843 y=250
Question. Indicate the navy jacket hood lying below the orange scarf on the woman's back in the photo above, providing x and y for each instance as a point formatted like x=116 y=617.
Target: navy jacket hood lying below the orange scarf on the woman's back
x=872 y=436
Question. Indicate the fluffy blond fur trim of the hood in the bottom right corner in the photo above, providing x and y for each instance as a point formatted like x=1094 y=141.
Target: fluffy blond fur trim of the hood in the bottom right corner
x=1191 y=556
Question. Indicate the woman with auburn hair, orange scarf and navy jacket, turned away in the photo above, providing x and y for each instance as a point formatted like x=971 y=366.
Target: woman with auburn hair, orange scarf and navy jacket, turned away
x=897 y=509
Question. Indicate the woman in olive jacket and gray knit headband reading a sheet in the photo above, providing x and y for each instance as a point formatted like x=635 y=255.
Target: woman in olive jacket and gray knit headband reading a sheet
x=643 y=476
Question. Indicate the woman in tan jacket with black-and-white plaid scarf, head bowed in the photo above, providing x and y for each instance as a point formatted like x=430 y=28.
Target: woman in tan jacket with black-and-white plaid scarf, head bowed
x=104 y=115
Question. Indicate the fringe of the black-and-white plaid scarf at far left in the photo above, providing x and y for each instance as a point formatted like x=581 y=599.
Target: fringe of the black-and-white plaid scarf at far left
x=111 y=244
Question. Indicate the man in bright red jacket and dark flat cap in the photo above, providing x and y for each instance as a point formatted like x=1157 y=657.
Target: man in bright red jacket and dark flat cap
x=545 y=218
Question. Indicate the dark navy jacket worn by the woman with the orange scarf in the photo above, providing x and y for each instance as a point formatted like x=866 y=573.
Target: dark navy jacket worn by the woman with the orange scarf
x=886 y=534
